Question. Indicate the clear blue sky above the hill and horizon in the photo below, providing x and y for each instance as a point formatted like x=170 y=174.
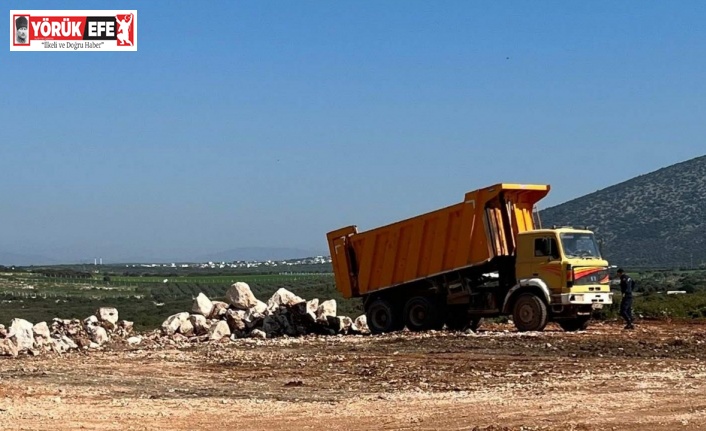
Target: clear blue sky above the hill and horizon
x=265 y=123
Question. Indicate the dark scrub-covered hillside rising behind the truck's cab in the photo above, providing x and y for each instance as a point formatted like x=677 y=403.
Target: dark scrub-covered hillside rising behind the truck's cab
x=656 y=219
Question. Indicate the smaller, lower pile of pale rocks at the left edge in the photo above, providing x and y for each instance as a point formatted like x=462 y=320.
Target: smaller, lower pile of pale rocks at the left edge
x=63 y=334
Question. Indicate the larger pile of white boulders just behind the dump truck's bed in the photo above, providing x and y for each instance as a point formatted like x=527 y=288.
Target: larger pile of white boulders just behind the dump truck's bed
x=243 y=315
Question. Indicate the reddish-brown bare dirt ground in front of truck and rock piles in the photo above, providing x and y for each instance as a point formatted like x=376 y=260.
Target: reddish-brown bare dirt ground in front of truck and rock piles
x=653 y=378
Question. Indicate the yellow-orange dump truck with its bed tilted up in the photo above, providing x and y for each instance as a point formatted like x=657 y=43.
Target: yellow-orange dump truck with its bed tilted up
x=482 y=257
